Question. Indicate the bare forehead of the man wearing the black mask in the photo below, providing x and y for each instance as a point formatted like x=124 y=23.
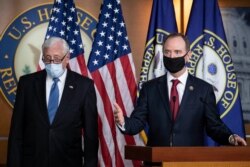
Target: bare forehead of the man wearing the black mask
x=175 y=43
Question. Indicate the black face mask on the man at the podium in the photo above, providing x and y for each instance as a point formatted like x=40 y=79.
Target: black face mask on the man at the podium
x=174 y=65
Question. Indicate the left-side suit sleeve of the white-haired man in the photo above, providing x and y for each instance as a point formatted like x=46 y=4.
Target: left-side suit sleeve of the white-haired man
x=14 y=155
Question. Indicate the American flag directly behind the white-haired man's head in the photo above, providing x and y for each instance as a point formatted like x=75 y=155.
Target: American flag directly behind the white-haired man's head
x=63 y=24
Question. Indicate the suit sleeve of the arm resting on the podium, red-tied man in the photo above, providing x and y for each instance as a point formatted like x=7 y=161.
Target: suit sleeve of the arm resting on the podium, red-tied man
x=214 y=126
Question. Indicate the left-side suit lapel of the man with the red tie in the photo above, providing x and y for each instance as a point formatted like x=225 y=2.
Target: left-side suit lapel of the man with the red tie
x=162 y=87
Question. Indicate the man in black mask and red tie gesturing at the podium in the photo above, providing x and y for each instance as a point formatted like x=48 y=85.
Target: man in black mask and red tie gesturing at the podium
x=178 y=107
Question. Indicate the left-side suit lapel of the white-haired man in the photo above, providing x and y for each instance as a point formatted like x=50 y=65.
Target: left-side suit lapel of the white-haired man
x=40 y=92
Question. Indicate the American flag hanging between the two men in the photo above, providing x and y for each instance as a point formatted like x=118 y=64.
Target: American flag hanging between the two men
x=112 y=69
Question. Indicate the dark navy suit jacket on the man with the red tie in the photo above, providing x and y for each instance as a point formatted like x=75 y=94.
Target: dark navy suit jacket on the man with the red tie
x=197 y=113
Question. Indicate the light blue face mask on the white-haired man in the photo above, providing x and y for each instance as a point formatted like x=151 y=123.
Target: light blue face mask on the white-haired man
x=54 y=70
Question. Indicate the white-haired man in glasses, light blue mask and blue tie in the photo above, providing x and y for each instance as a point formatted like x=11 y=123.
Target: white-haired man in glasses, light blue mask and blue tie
x=51 y=109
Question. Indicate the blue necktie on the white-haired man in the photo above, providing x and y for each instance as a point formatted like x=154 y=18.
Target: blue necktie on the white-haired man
x=53 y=100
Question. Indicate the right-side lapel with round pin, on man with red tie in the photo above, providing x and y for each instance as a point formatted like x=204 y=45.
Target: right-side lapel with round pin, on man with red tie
x=187 y=94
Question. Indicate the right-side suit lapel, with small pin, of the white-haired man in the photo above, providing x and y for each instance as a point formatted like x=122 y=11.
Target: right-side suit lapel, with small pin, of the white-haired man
x=68 y=93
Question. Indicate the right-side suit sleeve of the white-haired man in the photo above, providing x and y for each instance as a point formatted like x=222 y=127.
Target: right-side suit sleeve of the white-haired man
x=90 y=128
